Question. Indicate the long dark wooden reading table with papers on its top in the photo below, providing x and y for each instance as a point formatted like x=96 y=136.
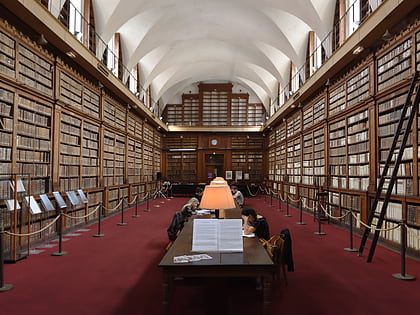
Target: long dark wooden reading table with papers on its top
x=252 y=262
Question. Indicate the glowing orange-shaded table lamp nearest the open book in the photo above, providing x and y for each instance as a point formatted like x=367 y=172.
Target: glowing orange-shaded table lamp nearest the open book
x=217 y=196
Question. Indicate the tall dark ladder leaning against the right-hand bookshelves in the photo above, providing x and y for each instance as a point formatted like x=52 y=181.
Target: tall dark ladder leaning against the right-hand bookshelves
x=404 y=127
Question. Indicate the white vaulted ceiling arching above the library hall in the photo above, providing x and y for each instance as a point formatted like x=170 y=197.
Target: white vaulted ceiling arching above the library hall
x=179 y=43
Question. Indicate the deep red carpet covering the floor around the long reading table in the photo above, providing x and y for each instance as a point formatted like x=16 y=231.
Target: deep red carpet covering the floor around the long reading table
x=118 y=274
